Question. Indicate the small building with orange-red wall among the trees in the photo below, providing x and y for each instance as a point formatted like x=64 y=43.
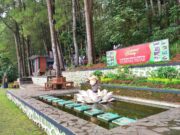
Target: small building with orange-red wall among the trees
x=40 y=64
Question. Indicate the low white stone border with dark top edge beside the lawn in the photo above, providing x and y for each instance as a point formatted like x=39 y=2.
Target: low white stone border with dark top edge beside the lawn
x=50 y=126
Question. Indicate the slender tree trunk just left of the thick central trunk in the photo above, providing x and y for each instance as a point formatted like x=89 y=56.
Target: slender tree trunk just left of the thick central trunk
x=76 y=62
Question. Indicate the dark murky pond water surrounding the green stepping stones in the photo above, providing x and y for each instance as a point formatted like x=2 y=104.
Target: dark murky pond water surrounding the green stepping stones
x=124 y=109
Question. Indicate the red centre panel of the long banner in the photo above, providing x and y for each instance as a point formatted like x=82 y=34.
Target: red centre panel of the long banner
x=134 y=55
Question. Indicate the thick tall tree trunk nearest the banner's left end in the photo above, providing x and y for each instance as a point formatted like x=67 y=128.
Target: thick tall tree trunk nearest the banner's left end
x=89 y=29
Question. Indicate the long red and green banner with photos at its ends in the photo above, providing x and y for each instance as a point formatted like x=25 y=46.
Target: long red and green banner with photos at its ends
x=148 y=52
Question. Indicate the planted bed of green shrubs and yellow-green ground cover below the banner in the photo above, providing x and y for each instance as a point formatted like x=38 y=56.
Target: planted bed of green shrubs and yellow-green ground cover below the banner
x=164 y=77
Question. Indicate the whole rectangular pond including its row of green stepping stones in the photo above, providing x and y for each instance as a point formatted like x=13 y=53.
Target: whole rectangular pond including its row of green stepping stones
x=110 y=113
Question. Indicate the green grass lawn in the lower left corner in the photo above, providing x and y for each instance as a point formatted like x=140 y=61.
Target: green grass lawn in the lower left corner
x=13 y=121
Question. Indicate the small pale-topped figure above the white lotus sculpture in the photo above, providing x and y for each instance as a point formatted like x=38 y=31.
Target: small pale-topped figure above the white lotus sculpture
x=93 y=80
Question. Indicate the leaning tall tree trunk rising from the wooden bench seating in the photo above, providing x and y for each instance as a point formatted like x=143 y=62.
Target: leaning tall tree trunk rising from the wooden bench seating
x=53 y=39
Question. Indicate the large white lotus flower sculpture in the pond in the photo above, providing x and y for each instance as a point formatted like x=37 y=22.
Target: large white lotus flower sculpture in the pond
x=90 y=97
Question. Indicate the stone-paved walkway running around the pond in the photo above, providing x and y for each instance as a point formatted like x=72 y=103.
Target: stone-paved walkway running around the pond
x=165 y=123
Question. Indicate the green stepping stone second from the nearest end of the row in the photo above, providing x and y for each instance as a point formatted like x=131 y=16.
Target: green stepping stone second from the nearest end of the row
x=108 y=117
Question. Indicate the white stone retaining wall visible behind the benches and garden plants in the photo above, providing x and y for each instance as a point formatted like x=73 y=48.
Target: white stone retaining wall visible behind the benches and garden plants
x=81 y=76
